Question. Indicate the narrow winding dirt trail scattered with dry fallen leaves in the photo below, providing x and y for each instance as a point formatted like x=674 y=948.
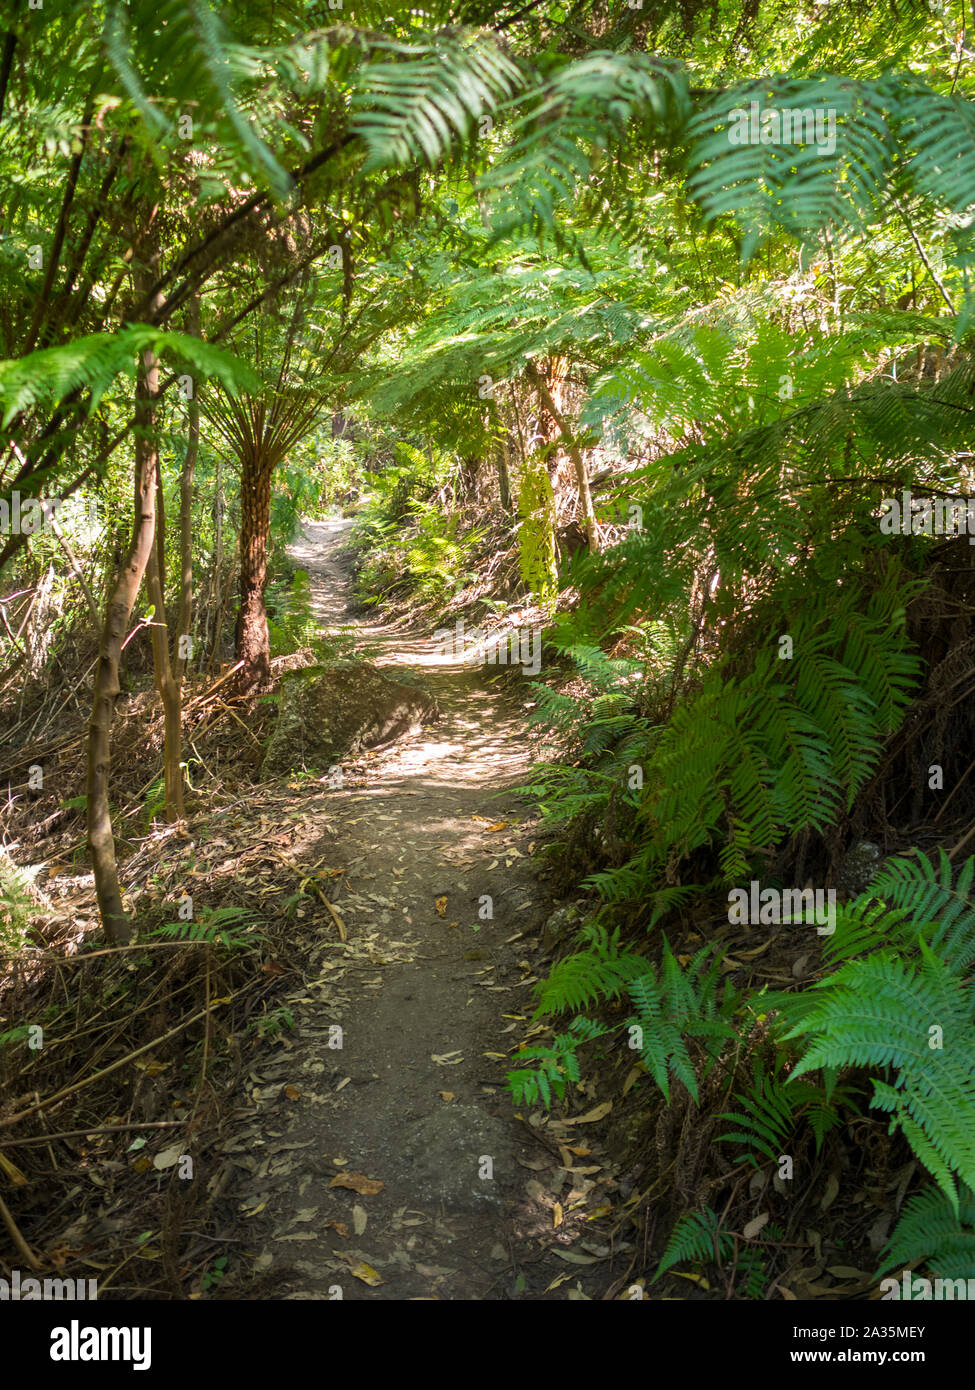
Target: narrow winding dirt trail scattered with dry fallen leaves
x=412 y=1099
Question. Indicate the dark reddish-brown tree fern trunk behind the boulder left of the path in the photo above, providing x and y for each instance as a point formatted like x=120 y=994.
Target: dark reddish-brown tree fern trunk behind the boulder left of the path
x=254 y=641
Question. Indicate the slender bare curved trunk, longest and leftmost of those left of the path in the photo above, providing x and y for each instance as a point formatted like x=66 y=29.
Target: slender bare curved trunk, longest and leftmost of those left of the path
x=101 y=840
